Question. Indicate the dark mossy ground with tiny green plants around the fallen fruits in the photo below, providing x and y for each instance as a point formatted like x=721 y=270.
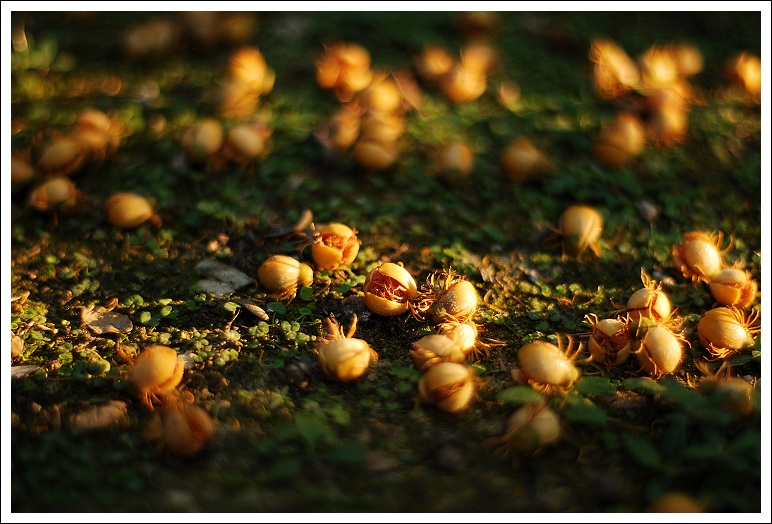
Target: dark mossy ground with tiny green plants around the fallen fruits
x=373 y=445
